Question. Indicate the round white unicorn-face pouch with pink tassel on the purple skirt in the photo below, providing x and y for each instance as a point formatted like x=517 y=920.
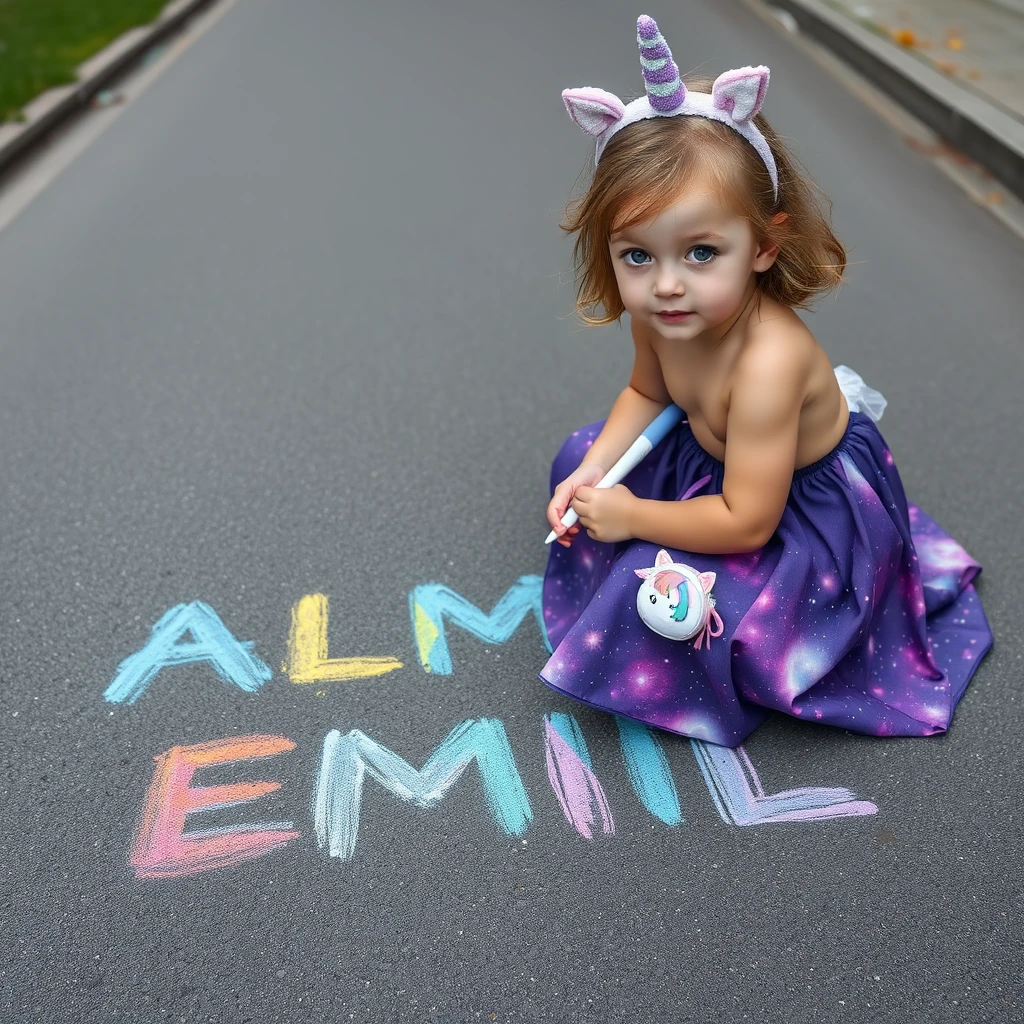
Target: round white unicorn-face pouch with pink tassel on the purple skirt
x=675 y=602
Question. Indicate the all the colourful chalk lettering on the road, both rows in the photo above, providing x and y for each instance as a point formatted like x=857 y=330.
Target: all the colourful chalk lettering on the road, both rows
x=194 y=632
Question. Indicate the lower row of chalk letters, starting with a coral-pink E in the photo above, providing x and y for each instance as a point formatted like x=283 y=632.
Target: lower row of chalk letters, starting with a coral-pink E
x=164 y=849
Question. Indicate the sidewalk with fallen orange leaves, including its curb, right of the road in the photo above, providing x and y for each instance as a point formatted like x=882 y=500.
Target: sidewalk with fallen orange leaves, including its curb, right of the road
x=956 y=65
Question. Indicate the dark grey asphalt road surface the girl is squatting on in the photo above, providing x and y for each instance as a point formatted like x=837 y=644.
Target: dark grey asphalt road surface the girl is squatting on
x=301 y=323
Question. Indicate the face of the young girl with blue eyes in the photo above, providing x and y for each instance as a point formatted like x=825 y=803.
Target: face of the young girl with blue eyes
x=689 y=271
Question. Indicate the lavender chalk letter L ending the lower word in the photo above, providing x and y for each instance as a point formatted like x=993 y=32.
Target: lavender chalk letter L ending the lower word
x=741 y=798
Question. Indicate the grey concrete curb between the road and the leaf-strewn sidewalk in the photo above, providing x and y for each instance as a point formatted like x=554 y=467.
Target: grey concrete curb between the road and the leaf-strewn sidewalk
x=984 y=132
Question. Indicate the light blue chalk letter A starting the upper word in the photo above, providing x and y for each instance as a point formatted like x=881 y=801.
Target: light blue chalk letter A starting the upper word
x=212 y=643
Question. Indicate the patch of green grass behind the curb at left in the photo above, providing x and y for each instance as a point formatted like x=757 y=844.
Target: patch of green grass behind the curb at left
x=44 y=41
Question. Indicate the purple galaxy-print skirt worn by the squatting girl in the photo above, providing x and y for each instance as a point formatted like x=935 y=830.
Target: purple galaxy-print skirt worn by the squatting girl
x=860 y=613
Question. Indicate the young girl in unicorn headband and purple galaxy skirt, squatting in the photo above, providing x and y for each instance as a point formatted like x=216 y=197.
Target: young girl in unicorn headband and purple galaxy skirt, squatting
x=763 y=556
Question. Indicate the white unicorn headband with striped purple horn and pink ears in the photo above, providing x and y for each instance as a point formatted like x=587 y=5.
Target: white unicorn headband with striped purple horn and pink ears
x=736 y=98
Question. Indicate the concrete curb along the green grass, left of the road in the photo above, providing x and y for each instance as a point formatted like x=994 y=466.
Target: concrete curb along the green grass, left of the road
x=57 y=106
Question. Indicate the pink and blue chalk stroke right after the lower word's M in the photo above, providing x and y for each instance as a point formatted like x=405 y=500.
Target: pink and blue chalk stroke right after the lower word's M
x=571 y=773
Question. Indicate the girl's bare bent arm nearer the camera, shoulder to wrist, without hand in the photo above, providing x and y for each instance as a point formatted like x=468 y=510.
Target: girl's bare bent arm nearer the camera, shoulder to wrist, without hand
x=760 y=456
